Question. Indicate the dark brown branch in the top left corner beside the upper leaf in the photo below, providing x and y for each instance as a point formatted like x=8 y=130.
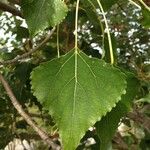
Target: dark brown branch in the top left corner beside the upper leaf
x=10 y=9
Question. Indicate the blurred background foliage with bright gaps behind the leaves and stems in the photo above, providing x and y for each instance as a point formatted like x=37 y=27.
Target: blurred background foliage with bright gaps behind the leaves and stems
x=130 y=33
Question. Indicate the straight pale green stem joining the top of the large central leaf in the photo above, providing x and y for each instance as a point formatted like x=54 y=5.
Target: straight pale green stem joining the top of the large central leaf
x=76 y=27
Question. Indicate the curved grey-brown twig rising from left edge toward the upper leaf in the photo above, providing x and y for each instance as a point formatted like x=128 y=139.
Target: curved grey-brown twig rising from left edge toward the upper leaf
x=25 y=55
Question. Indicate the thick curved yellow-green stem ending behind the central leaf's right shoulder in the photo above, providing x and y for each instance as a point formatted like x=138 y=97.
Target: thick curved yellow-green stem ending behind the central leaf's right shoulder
x=108 y=33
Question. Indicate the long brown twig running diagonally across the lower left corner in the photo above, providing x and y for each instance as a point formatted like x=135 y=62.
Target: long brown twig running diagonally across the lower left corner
x=26 y=117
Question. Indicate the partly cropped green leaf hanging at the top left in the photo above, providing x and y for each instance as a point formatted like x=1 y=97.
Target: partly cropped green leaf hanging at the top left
x=40 y=14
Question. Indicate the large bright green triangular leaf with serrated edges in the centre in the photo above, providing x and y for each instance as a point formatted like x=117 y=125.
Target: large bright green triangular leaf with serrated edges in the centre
x=77 y=91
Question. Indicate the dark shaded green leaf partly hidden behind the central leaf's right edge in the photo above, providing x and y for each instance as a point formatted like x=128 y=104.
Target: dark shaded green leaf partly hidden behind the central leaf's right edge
x=107 y=126
